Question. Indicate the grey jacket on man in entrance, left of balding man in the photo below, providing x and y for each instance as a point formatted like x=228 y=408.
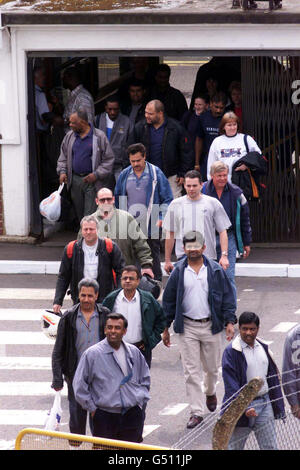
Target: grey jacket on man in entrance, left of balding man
x=119 y=136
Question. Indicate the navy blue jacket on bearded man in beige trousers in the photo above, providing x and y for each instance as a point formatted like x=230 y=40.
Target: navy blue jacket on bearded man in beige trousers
x=220 y=297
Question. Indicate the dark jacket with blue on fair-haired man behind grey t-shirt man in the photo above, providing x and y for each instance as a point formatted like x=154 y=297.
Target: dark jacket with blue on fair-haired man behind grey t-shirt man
x=239 y=208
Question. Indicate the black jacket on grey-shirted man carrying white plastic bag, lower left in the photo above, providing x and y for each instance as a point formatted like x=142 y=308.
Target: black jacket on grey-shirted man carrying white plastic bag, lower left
x=64 y=356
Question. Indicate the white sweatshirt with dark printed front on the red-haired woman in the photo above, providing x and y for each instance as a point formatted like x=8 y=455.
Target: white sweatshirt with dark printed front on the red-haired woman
x=229 y=150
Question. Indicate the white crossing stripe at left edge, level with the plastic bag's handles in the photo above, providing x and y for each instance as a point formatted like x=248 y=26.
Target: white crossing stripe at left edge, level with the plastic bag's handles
x=23 y=389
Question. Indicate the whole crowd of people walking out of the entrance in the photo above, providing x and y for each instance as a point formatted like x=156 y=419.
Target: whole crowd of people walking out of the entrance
x=148 y=176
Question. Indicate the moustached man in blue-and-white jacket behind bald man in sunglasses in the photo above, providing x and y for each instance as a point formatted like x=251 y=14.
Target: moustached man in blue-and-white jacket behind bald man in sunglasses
x=143 y=190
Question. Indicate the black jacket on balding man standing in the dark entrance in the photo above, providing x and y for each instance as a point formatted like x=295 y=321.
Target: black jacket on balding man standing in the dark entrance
x=177 y=148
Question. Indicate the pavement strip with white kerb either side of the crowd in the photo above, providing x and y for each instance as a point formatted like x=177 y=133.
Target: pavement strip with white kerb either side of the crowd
x=26 y=256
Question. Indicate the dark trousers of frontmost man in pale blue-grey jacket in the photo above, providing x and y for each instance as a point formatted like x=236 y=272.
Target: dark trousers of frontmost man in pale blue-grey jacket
x=122 y=427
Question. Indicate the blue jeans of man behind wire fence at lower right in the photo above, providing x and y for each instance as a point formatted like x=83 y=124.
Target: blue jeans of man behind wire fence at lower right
x=263 y=426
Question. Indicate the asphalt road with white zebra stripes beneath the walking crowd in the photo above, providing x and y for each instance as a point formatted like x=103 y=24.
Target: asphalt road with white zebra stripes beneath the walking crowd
x=25 y=372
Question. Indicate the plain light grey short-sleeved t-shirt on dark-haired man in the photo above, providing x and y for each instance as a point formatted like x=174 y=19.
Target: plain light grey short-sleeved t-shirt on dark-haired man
x=206 y=215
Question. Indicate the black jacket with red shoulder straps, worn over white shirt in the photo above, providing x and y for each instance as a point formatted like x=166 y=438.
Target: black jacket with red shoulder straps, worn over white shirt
x=71 y=271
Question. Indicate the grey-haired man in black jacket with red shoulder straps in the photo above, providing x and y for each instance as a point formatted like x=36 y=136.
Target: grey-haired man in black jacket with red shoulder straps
x=92 y=257
